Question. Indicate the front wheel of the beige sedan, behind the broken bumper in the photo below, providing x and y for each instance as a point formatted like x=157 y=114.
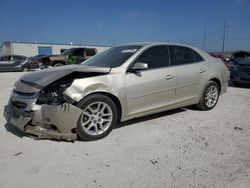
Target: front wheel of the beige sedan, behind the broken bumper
x=98 y=118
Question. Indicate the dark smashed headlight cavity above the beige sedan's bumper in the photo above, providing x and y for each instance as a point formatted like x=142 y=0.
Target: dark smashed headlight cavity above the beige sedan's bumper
x=53 y=94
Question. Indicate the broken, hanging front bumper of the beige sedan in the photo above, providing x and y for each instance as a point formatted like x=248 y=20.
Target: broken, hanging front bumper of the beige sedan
x=46 y=121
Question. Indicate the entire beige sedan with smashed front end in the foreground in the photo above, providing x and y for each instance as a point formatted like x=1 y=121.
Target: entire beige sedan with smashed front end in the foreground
x=121 y=83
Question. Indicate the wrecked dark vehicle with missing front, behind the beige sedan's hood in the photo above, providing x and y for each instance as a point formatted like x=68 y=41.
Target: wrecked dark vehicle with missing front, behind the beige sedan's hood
x=70 y=56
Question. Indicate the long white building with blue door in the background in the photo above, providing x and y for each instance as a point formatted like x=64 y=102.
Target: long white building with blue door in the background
x=31 y=49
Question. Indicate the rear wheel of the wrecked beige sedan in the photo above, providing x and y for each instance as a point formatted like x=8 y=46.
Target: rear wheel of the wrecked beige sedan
x=210 y=96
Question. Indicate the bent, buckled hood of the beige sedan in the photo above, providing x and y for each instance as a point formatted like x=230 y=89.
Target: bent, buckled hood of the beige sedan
x=45 y=77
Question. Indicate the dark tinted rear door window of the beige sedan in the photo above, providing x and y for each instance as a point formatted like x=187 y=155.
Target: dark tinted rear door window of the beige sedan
x=181 y=55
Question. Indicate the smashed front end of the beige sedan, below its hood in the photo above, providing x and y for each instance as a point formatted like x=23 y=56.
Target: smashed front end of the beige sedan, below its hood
x=45 y=111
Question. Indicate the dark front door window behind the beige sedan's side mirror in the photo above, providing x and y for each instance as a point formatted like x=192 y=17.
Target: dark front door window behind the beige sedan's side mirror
x=155 y=57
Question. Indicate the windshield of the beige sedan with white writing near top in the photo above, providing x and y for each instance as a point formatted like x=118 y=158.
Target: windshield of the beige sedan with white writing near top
x=113 y=57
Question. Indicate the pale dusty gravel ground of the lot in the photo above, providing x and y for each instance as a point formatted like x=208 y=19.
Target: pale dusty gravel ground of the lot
x=179 y=148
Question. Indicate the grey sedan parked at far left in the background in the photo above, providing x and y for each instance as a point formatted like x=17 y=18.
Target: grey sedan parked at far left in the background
x=12 y=63
